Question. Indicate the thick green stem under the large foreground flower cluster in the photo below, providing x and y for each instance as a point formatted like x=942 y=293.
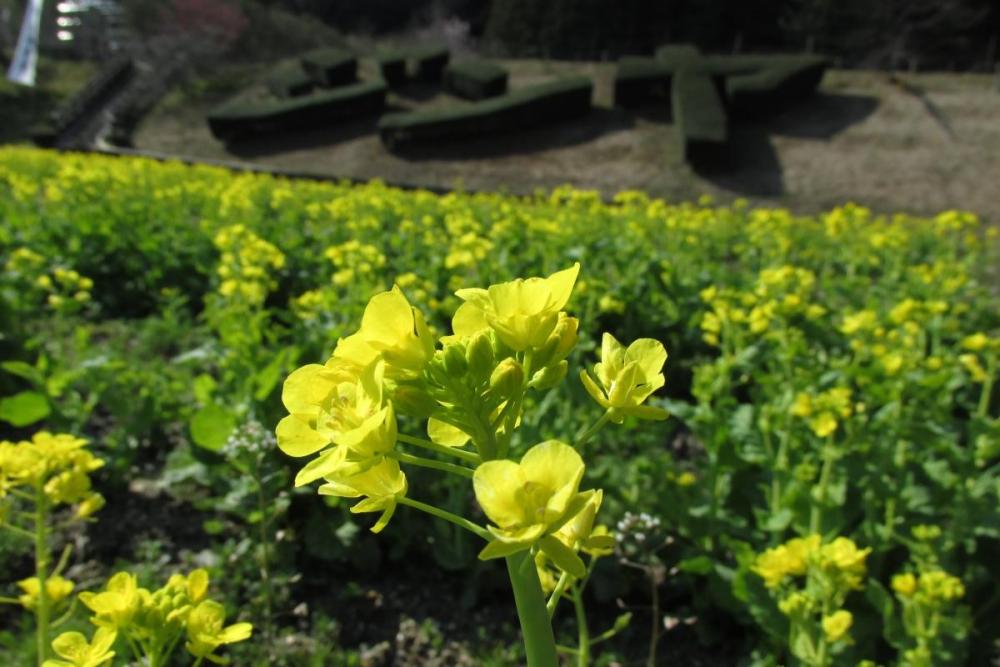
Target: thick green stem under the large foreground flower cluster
x=539 y=642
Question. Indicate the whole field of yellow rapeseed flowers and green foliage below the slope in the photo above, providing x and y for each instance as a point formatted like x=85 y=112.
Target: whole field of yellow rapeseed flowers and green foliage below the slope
x=177 y=341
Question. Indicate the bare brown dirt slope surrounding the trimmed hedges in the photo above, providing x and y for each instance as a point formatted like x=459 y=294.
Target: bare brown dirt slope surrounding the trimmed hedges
x=918 y=143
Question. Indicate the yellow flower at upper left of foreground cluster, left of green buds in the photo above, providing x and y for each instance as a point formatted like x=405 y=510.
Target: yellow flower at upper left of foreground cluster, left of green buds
x=391 y=329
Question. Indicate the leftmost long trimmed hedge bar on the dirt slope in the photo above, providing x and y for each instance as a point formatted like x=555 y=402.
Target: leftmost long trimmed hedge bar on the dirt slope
x=236 y=119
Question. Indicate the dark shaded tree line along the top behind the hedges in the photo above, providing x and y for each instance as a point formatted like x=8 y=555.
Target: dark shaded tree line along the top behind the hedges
x=874 y=33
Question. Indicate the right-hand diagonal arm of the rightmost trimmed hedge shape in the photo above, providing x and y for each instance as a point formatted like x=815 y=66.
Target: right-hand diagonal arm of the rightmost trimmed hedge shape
x=782 y=82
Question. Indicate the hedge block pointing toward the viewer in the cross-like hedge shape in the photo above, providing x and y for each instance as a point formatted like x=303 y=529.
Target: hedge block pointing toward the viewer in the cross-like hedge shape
x=699 y=115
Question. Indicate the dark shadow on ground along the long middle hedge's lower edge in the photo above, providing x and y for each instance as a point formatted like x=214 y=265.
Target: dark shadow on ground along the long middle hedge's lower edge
x=562 y=134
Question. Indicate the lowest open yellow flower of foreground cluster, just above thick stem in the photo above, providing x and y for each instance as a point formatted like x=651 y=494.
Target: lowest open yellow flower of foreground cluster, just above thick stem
x=530 y=500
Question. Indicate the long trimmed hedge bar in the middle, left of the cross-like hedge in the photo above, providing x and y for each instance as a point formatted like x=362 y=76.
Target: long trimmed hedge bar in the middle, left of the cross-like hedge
x=555 y=101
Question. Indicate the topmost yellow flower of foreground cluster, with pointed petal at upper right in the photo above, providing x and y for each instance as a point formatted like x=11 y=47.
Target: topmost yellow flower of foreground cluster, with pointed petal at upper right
x=522 y=312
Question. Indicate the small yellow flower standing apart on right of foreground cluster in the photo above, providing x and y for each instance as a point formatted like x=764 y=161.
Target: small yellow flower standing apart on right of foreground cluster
x=626 y=377
